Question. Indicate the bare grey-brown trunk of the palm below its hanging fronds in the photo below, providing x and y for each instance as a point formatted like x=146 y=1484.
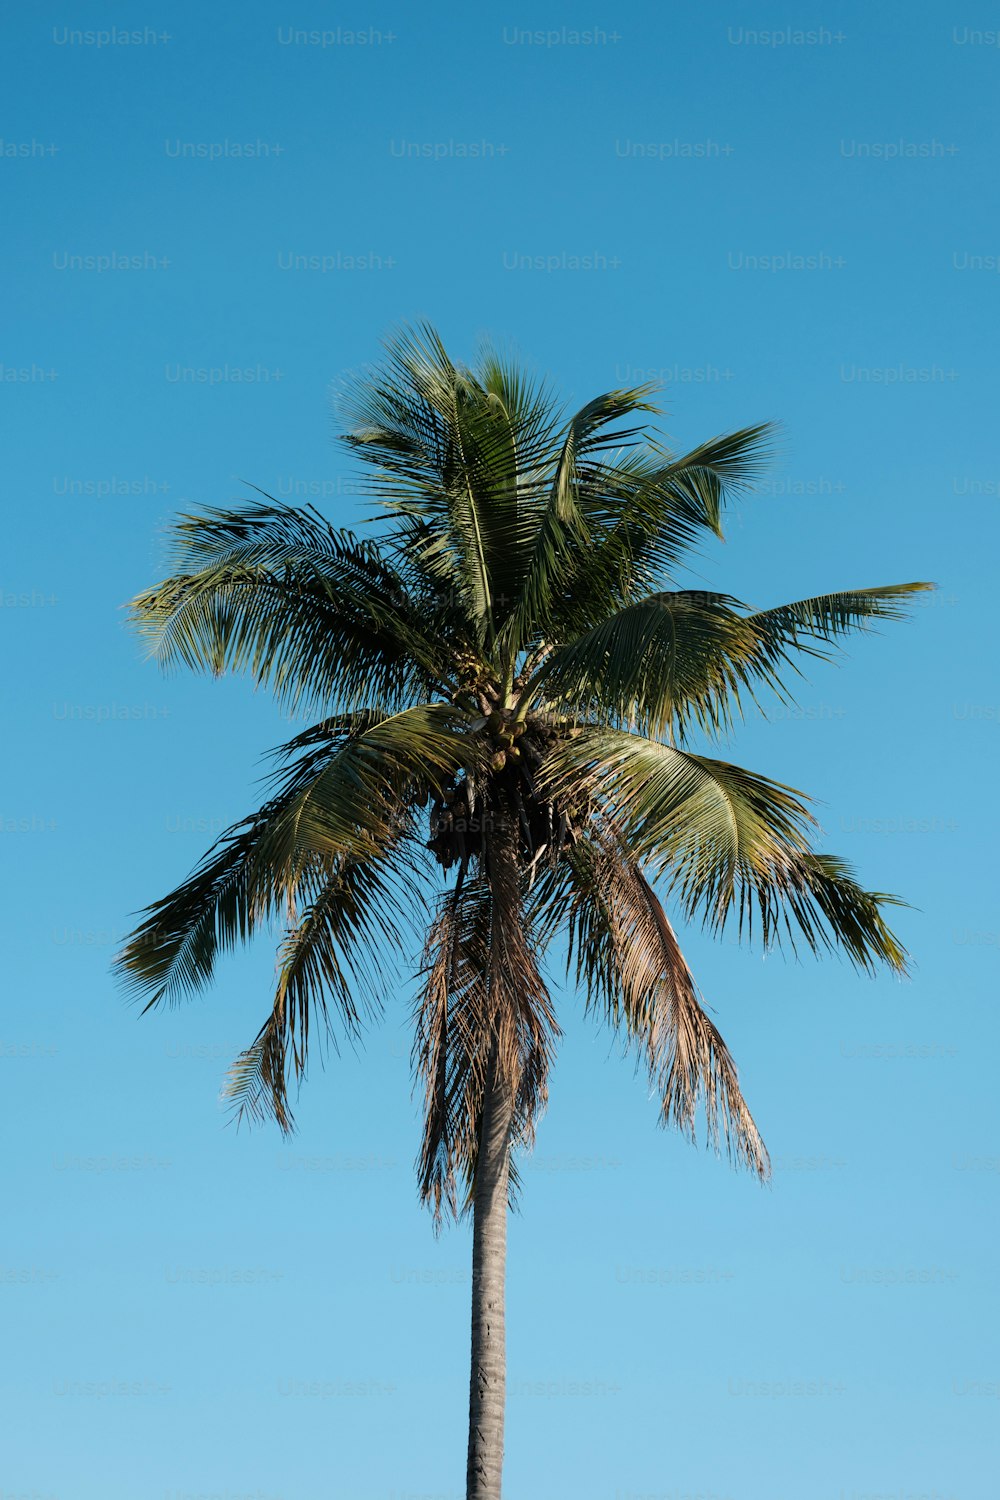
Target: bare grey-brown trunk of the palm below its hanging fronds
x=488 y=1387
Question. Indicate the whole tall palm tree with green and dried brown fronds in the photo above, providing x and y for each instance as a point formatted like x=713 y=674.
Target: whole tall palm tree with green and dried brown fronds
x=504 y=691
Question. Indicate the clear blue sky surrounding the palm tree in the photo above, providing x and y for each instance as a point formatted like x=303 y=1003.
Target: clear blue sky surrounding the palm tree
x=788 y=217
